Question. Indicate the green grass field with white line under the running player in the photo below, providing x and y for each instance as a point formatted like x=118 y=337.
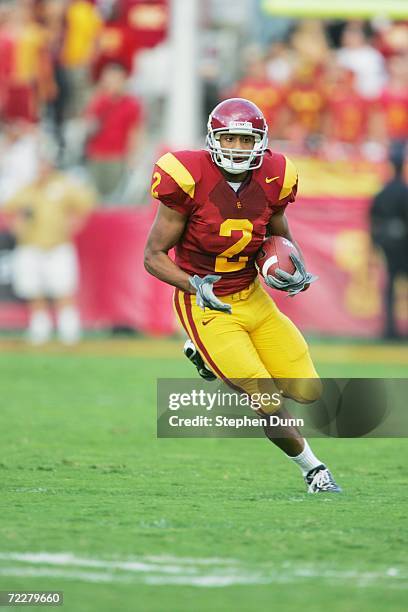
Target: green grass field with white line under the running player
x=94 y=505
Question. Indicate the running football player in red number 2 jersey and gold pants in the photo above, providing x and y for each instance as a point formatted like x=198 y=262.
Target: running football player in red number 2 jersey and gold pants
x=216 y=207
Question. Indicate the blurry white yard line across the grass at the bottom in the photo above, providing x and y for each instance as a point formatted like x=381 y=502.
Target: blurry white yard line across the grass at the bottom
x=203 y=572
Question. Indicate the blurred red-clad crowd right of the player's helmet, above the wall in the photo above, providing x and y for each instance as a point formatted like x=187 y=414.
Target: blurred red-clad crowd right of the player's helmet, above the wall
x=339 y=90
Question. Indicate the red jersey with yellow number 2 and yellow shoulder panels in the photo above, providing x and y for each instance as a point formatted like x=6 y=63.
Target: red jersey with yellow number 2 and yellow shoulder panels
x=225 y=229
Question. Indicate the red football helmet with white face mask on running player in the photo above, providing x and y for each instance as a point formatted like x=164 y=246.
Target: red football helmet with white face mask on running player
x=237 y=116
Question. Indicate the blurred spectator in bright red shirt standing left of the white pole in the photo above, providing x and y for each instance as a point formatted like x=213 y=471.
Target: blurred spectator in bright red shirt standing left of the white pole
x=114 y=122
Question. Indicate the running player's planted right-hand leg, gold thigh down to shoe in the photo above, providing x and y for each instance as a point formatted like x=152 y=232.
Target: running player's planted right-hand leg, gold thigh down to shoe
x=285 y=354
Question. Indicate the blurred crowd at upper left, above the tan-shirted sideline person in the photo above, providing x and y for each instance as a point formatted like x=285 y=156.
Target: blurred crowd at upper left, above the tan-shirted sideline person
x=64 y=77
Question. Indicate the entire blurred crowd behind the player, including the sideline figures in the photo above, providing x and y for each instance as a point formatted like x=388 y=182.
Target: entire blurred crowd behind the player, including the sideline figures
x=83 y=87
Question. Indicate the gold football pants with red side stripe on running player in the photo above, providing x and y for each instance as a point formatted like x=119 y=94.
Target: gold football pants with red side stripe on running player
x=255 y=341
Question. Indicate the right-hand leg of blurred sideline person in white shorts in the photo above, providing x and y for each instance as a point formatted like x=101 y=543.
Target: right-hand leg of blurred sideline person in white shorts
x=61 y=274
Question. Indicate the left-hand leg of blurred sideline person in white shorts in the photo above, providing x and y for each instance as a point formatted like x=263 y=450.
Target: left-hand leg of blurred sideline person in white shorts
x=27 y=280
